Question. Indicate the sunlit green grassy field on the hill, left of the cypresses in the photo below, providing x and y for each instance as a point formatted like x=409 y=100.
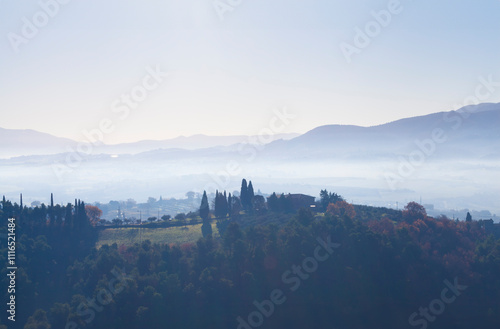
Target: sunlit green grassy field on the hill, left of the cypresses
x=129 y=236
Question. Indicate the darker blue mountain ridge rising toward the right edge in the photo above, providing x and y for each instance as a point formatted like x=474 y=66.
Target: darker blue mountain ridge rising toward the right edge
x=470 y=132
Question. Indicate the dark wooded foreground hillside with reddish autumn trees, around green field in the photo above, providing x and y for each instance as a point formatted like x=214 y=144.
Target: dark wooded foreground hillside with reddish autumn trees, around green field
x=342 y=267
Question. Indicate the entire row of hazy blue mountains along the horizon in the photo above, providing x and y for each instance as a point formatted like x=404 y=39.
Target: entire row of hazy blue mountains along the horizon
x=469 y=132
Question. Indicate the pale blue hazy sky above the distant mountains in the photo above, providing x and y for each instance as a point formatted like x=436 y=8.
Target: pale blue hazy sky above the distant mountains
x=227 y=76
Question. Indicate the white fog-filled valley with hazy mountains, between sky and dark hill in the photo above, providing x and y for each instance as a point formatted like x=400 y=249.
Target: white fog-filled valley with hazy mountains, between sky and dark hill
x=450 y=160
